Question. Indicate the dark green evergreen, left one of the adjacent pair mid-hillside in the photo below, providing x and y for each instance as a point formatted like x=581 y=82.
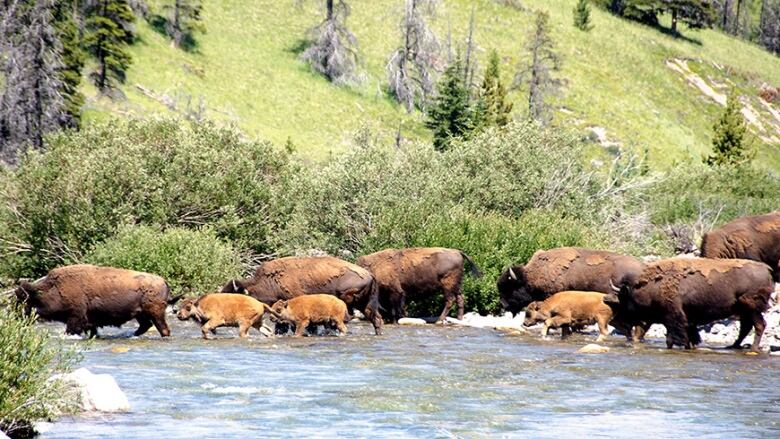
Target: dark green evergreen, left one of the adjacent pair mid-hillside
x=450 y=115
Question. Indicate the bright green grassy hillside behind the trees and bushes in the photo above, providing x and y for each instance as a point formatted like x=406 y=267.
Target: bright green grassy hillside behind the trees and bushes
x=245 y=71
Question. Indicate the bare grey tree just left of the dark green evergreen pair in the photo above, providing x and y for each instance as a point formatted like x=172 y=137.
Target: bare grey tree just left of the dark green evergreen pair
x=412 y=67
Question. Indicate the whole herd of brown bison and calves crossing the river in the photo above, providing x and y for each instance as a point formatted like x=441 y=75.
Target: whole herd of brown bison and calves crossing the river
x=562 y=288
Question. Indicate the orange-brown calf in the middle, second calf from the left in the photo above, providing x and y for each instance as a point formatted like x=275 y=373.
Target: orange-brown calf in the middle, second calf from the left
x=313 y=308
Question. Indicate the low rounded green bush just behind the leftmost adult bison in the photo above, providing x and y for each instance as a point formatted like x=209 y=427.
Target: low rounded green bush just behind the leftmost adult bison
x=192 y=261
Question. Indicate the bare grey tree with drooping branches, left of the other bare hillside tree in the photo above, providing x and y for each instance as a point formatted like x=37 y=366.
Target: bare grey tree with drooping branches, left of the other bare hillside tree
x=332 y=49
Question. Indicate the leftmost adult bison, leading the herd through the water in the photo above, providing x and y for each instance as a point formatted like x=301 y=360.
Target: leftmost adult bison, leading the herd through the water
x=87 y=297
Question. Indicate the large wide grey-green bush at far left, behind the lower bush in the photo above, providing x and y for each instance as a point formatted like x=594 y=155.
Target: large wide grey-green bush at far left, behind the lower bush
x=62 y=202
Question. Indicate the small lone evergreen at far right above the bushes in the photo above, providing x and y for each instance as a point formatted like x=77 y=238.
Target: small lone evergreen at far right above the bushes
x=729 y=142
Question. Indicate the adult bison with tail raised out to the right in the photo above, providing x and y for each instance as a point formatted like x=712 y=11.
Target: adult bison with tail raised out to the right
x=418 y=272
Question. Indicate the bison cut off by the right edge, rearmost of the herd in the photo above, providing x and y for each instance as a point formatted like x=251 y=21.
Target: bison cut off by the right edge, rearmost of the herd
x=751 y=237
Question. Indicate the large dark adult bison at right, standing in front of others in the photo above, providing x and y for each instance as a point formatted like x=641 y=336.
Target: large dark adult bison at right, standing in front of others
x=683 y=293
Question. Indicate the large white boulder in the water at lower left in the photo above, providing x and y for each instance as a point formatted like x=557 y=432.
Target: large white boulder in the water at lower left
x=97 y=392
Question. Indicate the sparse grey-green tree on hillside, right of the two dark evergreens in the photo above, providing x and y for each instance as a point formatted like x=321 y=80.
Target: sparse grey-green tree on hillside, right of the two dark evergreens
x=537 y=71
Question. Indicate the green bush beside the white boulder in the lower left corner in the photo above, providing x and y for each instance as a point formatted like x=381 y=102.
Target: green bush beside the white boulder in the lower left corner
x=28 y=358
